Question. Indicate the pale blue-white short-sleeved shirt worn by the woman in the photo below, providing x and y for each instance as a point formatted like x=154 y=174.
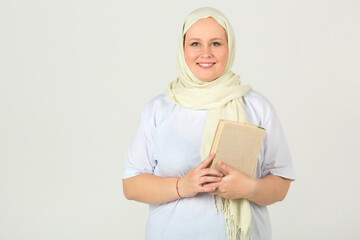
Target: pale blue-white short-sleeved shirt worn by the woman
x=167 y=143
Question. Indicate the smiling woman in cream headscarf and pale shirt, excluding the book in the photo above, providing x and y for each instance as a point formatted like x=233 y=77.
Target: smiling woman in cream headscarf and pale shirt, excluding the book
x=164 y=166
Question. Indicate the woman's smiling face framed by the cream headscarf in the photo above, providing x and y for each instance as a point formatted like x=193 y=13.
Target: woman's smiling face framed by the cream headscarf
x=206 y=49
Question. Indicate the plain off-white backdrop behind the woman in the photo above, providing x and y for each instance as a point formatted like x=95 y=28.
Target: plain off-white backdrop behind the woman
x=75 y=75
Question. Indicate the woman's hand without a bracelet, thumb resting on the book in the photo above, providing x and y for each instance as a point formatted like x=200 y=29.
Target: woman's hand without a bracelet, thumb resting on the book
x=234 y=184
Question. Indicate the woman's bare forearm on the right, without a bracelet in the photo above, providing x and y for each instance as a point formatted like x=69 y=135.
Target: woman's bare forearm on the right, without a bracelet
x=269 y=190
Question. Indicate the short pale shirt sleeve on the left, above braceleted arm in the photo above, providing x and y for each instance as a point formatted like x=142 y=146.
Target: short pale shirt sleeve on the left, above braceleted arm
x=139 y=156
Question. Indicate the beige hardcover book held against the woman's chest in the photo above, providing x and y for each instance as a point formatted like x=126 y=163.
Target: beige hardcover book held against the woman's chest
x=237 y=145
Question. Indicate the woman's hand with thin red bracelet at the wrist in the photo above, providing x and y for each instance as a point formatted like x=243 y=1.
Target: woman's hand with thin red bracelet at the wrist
x=200 y=179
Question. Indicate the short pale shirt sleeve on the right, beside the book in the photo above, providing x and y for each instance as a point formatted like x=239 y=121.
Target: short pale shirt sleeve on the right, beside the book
x=277 y=157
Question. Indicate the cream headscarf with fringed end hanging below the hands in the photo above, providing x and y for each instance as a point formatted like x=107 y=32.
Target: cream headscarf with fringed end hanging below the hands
x=223 y=98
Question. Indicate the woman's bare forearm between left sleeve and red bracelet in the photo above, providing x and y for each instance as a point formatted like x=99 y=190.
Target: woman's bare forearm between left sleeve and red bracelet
x=150 y=189
